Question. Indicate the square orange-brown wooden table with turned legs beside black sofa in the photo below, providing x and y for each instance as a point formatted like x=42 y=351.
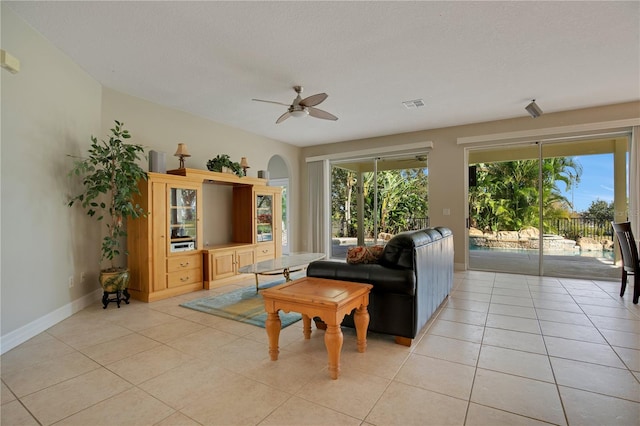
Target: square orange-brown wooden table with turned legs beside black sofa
x=330 y=300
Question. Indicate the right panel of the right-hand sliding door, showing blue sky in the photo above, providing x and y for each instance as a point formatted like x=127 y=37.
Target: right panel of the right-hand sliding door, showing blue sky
x=578 y=237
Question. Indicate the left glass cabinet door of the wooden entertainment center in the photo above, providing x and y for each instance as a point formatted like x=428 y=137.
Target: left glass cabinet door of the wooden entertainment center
x=183 y=217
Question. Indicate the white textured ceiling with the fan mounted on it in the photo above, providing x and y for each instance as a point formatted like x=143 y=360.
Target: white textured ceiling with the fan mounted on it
x=469 y=61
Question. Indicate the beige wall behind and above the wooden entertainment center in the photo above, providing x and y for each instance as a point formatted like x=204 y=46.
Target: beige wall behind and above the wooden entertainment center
x=161 y=129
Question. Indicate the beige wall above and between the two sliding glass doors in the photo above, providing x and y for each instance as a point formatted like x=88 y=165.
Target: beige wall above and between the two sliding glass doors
x=447 y=186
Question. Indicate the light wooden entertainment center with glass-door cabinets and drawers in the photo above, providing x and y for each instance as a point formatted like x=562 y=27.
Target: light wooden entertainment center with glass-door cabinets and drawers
x=167 y=255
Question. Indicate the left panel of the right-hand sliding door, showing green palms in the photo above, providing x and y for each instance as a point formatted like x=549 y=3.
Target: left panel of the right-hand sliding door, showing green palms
x=504 y=213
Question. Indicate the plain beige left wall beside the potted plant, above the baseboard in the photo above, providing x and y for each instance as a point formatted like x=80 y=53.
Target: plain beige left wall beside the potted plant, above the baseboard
x=49 y=110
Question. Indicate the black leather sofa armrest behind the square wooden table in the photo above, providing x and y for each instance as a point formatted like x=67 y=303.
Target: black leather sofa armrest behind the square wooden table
x=383 y=279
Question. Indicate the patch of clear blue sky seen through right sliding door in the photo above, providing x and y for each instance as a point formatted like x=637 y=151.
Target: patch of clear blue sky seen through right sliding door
x=596 y=181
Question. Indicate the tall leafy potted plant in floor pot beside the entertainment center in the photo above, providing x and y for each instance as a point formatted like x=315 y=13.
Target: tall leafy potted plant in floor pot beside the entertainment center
x=110 y=176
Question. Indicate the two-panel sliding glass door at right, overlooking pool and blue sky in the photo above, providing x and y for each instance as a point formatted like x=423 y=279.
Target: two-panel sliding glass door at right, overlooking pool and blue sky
x=545 y=208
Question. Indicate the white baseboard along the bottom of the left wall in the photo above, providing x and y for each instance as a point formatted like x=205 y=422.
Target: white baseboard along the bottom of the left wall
x=24 y=333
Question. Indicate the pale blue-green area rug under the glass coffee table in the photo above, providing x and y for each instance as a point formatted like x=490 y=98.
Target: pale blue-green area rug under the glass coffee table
x=244 y=305
